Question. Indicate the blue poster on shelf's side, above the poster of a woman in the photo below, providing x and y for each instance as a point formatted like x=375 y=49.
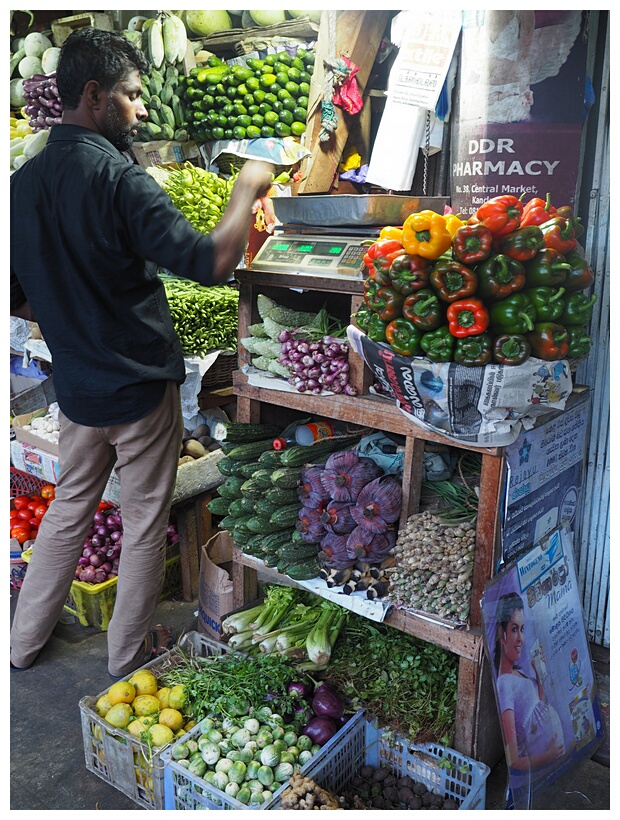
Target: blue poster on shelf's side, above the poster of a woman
x=544 y=474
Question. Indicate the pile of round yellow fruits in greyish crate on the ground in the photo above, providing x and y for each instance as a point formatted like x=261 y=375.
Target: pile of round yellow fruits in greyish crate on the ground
x=144 y=709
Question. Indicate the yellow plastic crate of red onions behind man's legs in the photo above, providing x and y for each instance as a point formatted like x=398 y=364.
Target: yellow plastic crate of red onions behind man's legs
x=93 y=604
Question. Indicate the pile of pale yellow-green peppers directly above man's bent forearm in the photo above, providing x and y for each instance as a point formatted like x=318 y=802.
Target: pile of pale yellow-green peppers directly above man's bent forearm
x=200 y=195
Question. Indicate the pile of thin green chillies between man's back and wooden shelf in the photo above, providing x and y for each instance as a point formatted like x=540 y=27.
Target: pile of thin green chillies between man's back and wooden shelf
x=204 y=318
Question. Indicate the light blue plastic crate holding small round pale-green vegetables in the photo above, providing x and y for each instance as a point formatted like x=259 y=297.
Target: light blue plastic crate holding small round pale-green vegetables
x=184 y=791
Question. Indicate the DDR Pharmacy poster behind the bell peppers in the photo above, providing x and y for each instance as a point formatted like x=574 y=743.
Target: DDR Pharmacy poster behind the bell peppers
x=520 y=106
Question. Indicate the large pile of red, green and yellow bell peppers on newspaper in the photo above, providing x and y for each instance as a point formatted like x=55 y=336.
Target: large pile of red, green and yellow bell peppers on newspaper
x=507 y=284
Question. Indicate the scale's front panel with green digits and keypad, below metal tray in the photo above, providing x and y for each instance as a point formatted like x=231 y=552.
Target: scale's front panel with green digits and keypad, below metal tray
x=337 y=256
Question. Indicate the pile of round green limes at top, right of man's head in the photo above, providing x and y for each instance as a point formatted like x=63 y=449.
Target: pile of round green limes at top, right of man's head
x=266 y=98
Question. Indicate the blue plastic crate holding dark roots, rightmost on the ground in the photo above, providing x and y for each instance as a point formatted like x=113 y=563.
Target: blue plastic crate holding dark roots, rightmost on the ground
x=464 y=781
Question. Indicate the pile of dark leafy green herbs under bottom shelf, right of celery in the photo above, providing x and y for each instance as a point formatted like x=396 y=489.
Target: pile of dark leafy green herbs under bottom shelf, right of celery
x=407 y=684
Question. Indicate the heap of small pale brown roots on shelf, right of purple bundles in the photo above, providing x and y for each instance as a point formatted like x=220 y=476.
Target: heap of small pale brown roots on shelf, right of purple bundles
x=434 y=566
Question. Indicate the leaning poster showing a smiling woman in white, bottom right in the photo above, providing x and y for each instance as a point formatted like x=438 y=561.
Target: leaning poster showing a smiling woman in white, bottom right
x=545 y=687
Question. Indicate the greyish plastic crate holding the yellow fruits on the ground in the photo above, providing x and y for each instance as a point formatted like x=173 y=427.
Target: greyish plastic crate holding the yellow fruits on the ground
x=119 y=758
